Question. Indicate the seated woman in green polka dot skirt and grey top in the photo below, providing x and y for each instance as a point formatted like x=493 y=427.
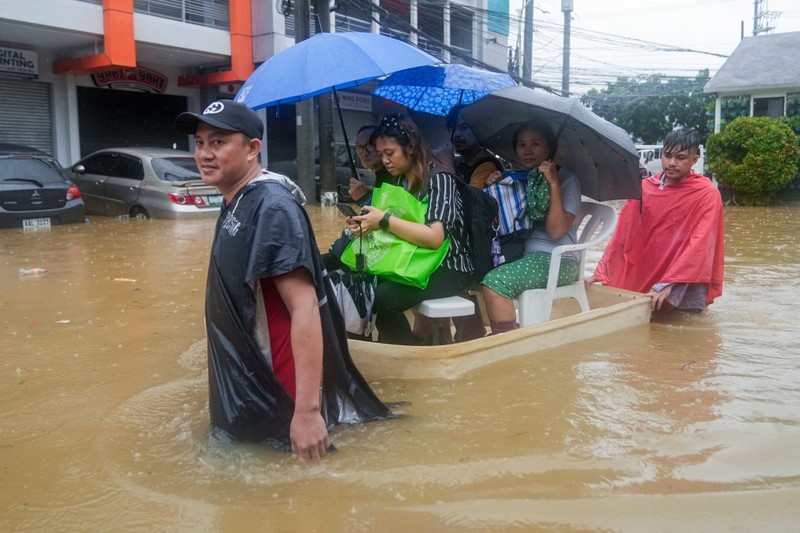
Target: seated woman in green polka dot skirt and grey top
x=554 y=197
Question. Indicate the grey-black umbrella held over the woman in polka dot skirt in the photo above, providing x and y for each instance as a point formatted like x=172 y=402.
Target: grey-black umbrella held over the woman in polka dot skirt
x=601 y=154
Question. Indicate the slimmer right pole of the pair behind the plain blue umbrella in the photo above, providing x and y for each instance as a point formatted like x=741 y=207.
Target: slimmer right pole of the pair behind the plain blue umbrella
x=327 y=155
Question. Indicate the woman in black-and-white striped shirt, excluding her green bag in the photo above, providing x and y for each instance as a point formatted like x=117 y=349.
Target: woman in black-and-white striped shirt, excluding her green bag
x=400 y=145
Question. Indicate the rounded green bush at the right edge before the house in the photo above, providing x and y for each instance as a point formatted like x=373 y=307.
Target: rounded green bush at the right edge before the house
x=755 y=157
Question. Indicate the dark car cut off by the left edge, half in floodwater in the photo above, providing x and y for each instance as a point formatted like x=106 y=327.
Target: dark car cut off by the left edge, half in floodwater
x=35 y=192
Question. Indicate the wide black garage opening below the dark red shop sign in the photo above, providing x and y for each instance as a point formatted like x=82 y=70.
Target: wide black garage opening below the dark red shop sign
x=110 y=118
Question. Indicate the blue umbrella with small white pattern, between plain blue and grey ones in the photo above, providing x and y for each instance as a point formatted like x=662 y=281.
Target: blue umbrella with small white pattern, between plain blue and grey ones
x=437 y=89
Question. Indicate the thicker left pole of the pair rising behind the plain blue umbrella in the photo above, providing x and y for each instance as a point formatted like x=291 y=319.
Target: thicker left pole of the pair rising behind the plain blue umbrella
x=304 y=113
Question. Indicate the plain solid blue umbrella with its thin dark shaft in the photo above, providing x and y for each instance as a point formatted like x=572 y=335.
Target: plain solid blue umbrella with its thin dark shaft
x=327 y=62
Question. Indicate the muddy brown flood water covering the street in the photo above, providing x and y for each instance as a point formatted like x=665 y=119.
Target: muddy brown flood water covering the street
x=686 y=424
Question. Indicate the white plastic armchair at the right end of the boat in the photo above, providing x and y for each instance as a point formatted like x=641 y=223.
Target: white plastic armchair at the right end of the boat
x=535 y=305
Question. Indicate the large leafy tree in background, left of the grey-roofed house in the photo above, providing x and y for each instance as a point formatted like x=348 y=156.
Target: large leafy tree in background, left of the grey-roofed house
x=650 y=107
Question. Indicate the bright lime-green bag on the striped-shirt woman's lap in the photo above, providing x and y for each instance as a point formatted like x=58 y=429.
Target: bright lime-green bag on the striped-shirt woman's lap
x=389 y=256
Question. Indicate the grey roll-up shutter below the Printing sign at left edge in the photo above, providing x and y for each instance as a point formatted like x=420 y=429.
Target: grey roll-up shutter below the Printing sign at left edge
x=25 y=108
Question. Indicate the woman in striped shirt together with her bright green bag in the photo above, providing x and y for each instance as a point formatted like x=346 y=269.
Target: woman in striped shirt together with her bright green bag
x=436 y=231
